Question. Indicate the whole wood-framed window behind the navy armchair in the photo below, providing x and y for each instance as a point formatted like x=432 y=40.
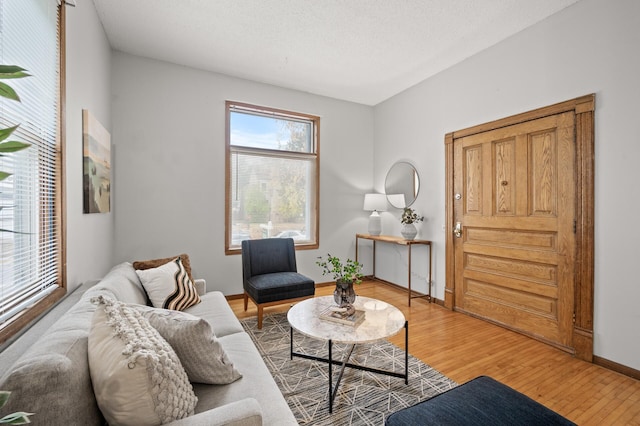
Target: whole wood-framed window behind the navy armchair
x=272 y=175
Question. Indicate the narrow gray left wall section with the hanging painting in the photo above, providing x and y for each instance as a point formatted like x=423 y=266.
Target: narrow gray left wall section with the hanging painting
x=89 y=237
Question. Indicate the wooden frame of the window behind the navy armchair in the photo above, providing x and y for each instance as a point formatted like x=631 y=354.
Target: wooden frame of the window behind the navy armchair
x=276 y=113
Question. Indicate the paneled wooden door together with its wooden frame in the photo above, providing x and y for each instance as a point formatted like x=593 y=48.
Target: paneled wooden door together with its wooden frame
x=522 y=190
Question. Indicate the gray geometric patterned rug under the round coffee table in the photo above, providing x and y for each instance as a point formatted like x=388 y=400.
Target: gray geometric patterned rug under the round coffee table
x=363 y=398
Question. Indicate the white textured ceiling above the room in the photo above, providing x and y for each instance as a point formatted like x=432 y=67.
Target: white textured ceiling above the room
x=363 y=51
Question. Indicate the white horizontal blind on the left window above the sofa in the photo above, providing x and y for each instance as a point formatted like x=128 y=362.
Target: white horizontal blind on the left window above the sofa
x=29 y=228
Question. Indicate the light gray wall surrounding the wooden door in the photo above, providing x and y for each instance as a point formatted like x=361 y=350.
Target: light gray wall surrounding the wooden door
x=591 y=47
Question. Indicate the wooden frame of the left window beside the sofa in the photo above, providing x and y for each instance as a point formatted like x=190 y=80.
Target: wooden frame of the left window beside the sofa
x=20 y=322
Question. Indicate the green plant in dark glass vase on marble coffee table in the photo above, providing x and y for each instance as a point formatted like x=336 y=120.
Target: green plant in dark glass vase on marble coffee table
x=346 y=274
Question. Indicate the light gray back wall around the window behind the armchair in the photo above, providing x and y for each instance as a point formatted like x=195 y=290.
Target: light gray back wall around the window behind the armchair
x=169 y=127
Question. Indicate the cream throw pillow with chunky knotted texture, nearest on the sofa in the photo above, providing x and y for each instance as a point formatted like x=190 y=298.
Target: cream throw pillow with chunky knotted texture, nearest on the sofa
x=137 y=377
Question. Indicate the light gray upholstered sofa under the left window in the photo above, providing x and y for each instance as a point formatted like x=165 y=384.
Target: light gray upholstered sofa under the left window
x=52 y=380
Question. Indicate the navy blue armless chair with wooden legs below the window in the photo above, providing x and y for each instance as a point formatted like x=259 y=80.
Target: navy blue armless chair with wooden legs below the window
x=270 y=275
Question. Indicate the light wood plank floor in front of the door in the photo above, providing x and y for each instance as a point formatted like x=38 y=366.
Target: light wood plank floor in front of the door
x=462 y=347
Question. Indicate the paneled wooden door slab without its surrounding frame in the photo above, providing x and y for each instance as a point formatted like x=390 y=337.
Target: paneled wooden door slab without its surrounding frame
x=514 y=219
